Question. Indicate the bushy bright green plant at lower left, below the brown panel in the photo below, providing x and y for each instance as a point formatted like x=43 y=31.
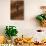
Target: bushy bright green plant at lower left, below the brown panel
x=10 y=32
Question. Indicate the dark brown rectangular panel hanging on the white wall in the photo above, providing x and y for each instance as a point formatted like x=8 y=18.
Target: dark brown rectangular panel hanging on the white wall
x=17 y=9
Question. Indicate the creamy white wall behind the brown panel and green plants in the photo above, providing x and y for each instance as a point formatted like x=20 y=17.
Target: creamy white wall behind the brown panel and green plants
x=27 y=26
